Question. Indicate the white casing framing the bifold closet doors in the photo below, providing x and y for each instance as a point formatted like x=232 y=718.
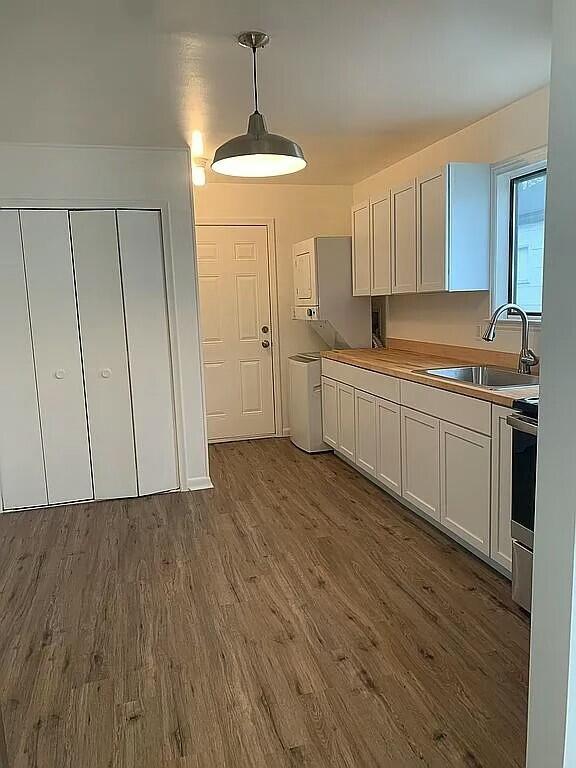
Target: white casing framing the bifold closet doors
x=169 y=274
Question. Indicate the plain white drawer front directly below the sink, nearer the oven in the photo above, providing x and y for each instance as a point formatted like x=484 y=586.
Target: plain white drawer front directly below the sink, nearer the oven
x=448 y=406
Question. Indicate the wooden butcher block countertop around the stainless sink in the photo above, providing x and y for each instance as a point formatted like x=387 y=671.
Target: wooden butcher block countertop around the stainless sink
x=403 y=363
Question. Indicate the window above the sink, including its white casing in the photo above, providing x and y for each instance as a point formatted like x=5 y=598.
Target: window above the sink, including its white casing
x=519 y=204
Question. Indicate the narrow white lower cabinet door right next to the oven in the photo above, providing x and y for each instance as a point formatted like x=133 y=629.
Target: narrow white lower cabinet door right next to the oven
x=501 y=509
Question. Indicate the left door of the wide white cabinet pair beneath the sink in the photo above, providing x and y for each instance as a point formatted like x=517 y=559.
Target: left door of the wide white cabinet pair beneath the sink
x=420 y=461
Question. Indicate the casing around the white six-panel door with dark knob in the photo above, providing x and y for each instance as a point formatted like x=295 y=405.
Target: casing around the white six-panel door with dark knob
x=270 y=225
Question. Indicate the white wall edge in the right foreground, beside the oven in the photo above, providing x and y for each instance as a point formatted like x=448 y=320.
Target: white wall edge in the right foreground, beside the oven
x=552 y=700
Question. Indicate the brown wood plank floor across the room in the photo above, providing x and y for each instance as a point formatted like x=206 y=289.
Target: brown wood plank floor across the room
x=293 y=616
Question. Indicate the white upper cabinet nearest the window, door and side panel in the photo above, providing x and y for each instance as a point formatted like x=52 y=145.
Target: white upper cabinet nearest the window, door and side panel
x=453 y=228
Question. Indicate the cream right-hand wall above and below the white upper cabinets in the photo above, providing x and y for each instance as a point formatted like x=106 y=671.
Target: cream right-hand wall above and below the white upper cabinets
x=455 y=318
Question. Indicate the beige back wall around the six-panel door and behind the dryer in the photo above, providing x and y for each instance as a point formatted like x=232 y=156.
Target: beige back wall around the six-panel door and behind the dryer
x=299 y=212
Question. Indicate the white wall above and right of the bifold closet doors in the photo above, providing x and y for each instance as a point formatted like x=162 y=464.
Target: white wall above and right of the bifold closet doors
x=89 y=175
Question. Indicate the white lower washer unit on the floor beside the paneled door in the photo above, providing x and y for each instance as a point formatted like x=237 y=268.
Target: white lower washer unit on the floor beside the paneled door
x=306 y=403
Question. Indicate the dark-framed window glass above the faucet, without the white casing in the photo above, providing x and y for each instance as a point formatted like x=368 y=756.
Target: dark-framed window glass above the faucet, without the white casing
x=526 y=242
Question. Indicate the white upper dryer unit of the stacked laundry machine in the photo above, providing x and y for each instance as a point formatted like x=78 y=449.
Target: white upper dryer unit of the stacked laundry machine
x=323 y=292
